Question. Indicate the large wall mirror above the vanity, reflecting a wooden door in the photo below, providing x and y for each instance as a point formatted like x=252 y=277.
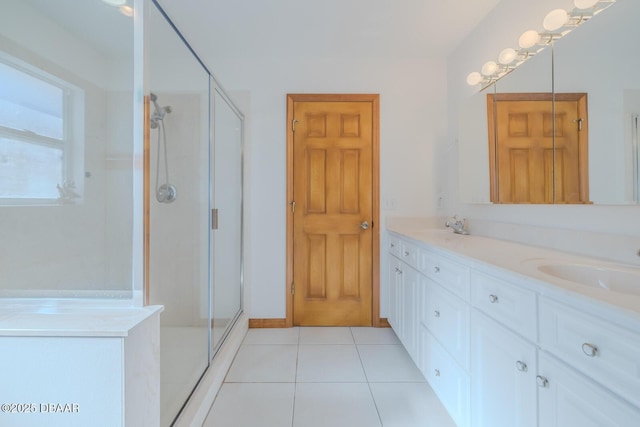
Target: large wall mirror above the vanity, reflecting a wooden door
x=591 y=70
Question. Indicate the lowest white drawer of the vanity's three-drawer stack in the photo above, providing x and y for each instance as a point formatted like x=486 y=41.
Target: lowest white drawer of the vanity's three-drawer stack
x=450 y=382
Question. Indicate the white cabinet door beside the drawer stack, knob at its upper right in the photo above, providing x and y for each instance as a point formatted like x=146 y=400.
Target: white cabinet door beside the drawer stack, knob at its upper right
x=503 y=376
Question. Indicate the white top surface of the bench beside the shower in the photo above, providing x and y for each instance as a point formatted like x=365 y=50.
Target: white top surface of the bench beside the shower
x=67 y=318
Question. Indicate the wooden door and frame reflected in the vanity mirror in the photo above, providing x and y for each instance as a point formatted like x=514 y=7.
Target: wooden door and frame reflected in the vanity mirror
x=529 y=165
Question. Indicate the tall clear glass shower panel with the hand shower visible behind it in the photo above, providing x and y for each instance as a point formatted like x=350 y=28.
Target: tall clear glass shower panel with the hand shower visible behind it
x=178 y=179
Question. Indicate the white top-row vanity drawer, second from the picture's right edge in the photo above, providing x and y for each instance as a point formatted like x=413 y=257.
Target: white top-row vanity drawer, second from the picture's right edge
x=507 y=303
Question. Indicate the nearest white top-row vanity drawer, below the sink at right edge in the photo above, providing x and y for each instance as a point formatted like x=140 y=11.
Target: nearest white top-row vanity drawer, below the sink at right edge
x=601 y=350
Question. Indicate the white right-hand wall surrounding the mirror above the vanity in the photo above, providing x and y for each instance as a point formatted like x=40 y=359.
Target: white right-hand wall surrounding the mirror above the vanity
x=499 y=30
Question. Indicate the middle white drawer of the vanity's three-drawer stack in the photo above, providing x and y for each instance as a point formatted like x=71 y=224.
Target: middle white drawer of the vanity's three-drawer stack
x=447 y=318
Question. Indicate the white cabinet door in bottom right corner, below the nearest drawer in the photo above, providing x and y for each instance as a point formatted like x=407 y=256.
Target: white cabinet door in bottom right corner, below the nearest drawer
x=567 y=398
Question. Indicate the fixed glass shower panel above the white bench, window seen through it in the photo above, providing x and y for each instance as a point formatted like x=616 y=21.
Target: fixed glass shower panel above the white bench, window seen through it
x=66 y=145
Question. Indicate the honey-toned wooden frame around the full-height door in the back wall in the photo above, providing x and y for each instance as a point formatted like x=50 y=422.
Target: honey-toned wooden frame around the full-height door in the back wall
x=374 y=99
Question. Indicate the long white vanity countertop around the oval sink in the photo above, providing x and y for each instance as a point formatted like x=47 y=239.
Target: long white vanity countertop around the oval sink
x=522 y=261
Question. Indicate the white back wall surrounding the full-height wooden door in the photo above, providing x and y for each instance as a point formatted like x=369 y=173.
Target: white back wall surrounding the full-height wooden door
x=412 y=120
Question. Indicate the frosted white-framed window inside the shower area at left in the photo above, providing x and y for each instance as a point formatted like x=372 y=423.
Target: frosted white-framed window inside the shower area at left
x=41 y=123
